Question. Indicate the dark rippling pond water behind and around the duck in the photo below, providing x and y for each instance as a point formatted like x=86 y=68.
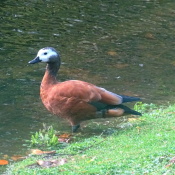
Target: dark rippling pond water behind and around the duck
x=126 y=47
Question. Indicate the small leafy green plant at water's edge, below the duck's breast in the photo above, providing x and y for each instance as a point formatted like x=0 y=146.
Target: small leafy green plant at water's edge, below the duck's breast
x=45 y=137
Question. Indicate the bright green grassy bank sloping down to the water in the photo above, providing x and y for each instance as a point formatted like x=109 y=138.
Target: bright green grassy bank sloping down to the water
x=143 y=148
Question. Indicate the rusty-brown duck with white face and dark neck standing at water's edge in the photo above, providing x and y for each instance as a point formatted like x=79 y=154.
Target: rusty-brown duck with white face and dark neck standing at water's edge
x=76 y=100
